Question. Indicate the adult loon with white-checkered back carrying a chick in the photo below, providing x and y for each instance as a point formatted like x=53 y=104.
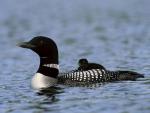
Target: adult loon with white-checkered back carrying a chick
x=48 y=74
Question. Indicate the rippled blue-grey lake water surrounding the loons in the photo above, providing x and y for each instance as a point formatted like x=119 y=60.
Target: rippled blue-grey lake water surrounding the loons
x=114 y=33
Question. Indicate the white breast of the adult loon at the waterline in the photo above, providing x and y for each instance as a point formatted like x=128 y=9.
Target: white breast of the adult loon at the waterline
x=40 y=81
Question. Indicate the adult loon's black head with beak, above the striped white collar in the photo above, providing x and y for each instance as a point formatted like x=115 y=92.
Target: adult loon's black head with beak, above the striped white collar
x=43 y=46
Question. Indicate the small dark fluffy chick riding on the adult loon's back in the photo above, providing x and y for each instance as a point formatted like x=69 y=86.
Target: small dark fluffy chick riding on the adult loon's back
x=85 y=65
